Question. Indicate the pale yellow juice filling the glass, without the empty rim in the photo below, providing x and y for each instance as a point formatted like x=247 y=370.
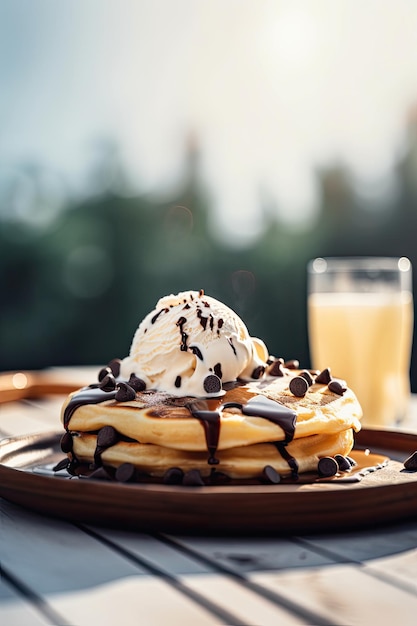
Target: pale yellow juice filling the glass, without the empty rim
x=365 y=338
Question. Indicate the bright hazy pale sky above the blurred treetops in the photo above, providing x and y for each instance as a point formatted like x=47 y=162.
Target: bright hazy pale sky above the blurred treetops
x=273 y=90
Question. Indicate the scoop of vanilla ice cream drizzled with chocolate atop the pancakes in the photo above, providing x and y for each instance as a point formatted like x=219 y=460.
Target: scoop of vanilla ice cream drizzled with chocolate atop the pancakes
x=191 y=344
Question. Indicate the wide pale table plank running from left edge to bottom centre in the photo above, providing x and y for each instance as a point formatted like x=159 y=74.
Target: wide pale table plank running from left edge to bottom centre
x=84 y=581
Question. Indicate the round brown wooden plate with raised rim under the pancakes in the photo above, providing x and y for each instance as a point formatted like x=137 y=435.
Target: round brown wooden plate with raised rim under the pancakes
x=386 y=495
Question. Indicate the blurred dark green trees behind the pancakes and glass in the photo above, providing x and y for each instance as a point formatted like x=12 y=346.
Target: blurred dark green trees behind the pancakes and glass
x=75 y=283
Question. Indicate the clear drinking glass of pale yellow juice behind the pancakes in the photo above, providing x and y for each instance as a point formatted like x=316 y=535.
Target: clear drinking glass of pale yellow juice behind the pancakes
x=360 y=325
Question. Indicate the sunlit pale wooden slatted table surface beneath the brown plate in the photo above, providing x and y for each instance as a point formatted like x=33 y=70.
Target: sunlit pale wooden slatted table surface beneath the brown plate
x=60 y=573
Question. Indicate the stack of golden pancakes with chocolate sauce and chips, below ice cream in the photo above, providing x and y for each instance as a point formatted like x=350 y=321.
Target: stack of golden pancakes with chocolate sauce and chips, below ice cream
x=274 y=422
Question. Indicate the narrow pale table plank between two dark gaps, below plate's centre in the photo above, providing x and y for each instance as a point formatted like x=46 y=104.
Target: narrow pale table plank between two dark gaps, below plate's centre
x=204 y=579
